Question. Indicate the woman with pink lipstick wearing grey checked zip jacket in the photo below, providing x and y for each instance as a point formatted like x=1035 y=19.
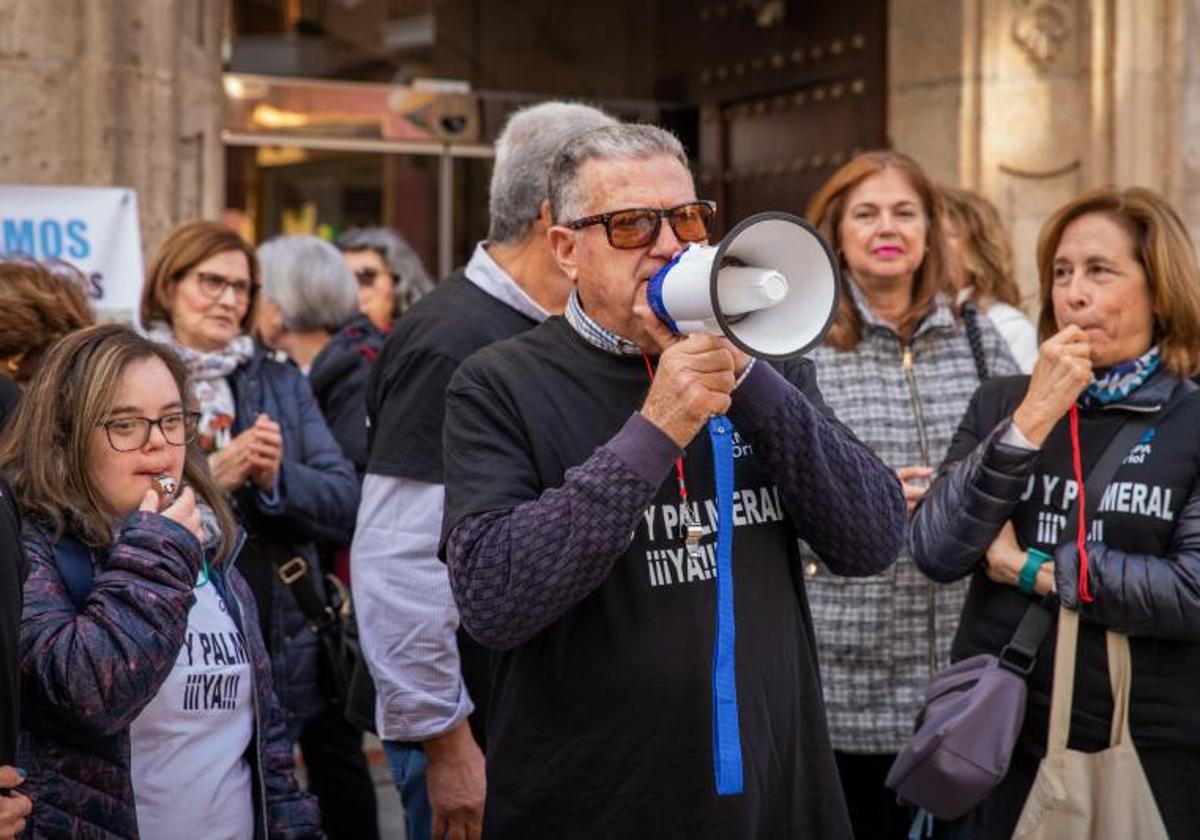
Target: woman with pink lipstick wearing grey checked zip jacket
x=898 y=369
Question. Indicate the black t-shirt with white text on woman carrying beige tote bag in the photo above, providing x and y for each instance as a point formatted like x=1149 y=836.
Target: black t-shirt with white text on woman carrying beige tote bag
x=1139 y=514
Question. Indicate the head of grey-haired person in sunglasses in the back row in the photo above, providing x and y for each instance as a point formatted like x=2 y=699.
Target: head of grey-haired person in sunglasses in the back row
x=389 y=273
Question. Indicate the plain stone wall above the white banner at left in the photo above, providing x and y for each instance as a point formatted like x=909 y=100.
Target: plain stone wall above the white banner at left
x=117 y=93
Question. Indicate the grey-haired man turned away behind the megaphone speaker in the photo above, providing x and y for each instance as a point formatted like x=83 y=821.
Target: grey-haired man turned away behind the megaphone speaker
x=428 y=682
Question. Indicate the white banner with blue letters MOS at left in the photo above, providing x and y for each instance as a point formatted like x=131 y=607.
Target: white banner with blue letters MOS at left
x=93 y=229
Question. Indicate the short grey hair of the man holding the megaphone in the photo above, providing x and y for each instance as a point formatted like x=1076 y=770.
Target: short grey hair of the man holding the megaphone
x=626 y=142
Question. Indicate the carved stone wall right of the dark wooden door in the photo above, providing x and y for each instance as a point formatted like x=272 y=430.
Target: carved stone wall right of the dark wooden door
x=1052 y=98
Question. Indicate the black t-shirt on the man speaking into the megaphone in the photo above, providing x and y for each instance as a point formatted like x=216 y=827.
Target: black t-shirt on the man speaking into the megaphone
x=601 y=727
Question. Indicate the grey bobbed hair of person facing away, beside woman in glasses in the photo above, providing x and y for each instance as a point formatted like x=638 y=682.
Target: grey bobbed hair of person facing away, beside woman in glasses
x=310 y=281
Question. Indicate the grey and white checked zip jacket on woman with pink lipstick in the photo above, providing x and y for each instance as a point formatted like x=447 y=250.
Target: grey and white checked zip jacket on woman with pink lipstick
x=880 y=639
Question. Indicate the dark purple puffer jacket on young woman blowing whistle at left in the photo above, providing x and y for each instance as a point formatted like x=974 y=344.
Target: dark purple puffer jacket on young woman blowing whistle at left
x=88 y=674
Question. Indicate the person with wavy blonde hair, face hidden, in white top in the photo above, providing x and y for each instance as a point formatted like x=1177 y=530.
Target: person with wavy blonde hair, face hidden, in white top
x=981 y=263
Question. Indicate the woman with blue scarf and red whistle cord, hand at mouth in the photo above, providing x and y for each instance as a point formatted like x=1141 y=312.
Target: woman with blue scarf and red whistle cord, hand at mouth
x=1120 y=293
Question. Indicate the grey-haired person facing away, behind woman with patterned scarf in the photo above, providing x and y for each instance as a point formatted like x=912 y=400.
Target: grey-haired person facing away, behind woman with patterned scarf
x=310 y=311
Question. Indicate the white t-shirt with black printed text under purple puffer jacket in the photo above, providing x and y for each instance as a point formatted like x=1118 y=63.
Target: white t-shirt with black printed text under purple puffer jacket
x=189 y=745
